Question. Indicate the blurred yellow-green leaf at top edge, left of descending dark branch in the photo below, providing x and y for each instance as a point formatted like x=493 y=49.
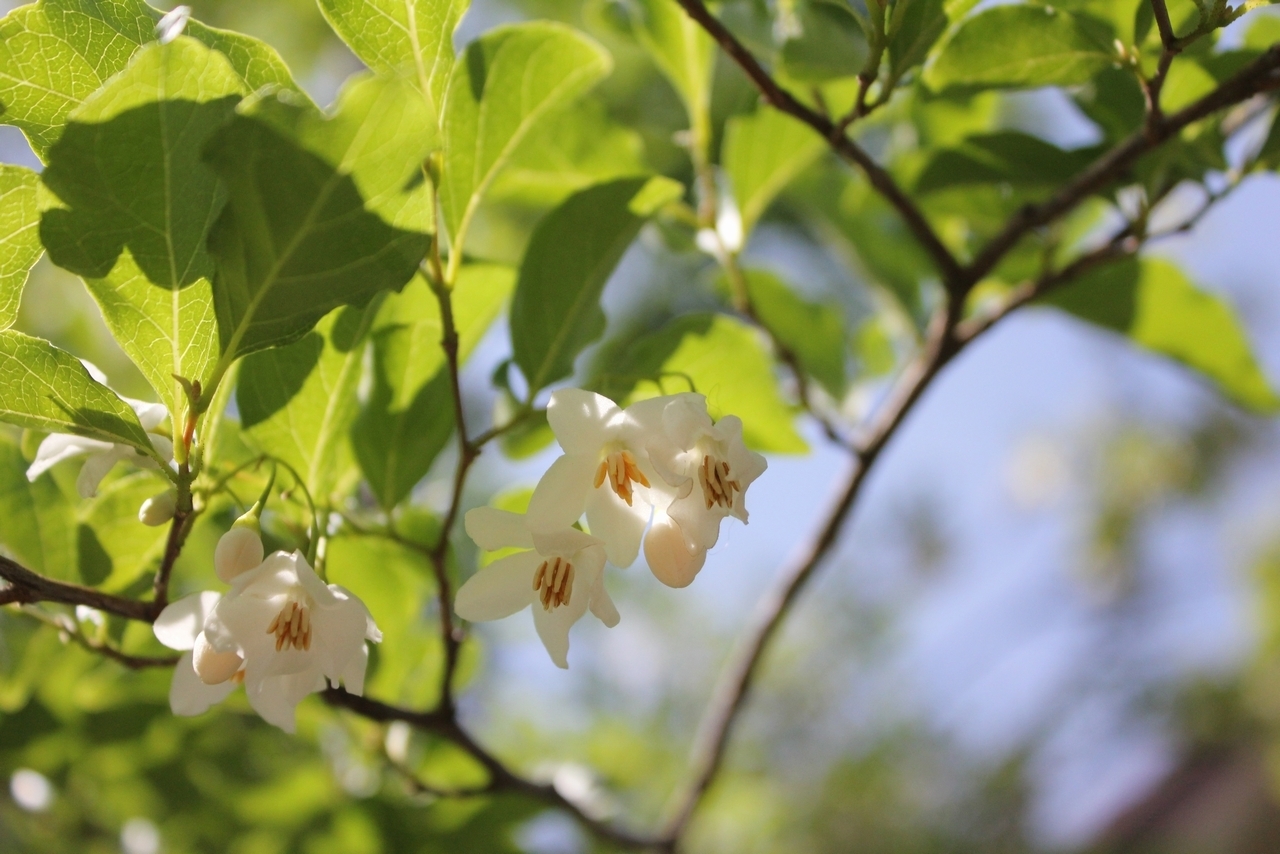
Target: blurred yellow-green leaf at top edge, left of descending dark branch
x=684 y=53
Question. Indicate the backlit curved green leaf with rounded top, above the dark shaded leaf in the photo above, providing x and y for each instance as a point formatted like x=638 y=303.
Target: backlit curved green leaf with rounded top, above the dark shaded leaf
x=504 y=86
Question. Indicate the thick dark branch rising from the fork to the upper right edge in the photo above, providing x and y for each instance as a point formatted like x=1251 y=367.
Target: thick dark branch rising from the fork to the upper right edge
x=1113 y=166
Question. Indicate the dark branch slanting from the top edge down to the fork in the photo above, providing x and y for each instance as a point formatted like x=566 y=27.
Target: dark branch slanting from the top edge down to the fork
x=879 y=177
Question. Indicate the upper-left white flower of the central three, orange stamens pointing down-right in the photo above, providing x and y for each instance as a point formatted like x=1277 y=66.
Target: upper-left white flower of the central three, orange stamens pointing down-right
x=605 y=472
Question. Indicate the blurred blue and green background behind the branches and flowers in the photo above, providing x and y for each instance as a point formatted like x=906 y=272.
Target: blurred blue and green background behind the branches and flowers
x=1053 y=624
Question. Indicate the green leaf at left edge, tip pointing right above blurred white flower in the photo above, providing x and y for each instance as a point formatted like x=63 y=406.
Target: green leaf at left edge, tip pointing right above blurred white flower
x=49 y=390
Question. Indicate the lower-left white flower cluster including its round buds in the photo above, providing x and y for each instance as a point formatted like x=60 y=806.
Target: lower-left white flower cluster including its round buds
x=280 y=631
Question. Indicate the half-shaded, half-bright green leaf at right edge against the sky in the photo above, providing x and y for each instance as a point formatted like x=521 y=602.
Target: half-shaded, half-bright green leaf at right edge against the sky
x=1159 y=308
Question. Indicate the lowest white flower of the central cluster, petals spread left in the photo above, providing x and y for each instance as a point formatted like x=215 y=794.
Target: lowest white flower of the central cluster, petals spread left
x=561 y=576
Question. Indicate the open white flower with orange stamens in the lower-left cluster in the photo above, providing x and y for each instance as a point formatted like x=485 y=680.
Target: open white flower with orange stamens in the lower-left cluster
x=292 y=632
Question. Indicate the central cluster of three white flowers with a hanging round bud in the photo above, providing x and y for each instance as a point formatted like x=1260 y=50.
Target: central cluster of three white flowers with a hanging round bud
x=659 y=474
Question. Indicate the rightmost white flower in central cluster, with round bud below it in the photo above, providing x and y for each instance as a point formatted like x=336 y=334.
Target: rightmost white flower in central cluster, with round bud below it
x=711 y=471
